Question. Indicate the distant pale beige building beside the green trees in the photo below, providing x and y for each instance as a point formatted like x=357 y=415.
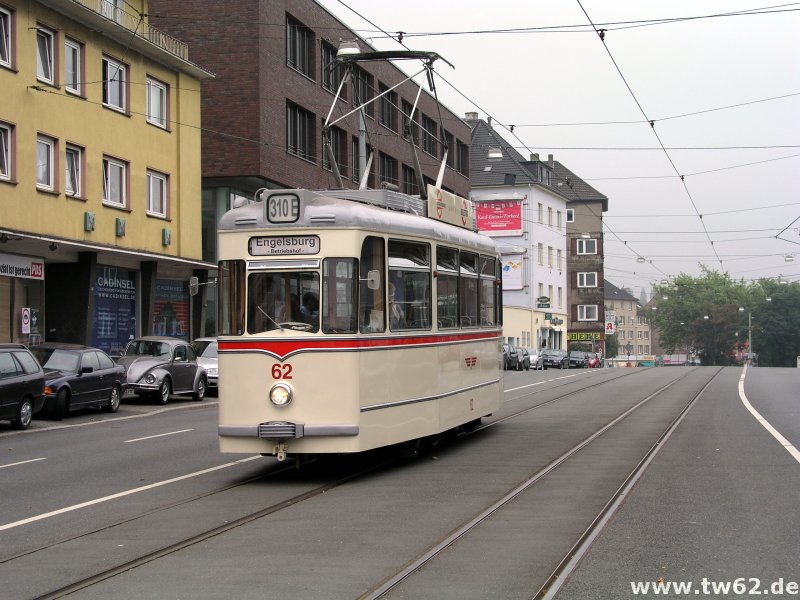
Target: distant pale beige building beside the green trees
x=631 y=324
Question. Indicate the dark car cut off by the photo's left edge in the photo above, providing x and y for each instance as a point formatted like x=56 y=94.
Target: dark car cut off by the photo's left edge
x=21 y=385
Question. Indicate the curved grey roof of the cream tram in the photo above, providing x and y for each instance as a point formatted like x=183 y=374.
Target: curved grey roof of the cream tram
x=321 y=209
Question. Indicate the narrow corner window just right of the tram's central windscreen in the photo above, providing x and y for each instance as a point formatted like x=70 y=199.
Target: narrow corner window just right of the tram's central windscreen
x=339 y=284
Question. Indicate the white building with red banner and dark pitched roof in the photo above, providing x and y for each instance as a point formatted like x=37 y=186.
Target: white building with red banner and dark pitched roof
x=519 y=204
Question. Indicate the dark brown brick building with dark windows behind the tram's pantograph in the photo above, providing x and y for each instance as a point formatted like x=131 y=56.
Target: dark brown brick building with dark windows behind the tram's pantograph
x=275 y=87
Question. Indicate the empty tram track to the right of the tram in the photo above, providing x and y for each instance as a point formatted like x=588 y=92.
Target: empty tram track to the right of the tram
x=576 y=552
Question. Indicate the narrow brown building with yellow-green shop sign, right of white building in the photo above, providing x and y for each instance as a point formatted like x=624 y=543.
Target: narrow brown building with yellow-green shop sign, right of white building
x=584 y=217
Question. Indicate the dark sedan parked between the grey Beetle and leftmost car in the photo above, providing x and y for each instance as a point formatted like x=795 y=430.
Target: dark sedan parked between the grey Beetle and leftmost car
x=79 y=376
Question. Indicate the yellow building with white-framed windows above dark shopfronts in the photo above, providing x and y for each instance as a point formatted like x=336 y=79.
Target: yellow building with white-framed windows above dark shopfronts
x=100 y=187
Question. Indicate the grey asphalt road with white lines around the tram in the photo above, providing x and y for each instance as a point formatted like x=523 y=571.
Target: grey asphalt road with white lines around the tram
x=718 y=501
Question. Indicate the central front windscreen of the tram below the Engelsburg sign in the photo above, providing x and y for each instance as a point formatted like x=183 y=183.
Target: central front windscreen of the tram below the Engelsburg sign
x=274 y=301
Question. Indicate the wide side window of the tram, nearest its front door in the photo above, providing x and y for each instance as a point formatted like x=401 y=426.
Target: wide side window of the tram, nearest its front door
x=409 y=288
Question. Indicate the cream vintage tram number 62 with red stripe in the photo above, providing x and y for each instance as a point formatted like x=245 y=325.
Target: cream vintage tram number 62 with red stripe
x=354 y=319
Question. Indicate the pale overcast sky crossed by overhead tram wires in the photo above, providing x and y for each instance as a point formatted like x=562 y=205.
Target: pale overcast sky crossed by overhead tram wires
x=561 y=90
